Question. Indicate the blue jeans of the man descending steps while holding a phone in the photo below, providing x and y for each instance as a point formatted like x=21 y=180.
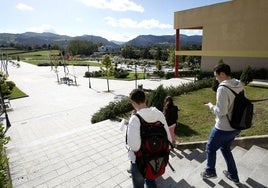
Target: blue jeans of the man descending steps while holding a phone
x=222 y=140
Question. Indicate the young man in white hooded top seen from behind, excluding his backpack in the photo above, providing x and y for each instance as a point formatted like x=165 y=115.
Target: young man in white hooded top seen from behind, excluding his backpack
x=149 y=114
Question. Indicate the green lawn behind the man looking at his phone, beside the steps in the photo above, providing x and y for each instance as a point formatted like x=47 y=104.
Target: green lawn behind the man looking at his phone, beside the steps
x=196 y=120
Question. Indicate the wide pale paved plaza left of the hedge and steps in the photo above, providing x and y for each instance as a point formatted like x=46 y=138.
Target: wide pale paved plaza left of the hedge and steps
x=53 y=143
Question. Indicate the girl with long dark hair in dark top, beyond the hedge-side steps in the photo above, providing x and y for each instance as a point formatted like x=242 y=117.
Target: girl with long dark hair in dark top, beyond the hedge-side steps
x=171 y=114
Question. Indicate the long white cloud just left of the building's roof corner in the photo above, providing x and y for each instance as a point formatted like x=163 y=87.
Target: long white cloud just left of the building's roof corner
x=129 y=23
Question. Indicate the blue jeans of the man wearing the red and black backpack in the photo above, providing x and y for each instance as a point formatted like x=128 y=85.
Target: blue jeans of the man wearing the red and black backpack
x=138 y=180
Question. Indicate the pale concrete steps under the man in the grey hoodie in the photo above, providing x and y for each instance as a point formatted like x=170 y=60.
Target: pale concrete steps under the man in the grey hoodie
x=252 y=166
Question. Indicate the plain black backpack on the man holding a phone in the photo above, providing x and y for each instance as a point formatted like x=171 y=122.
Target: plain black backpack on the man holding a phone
x=242 y=112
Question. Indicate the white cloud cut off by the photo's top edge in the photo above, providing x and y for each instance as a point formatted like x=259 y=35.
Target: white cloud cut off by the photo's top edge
x=115 y=5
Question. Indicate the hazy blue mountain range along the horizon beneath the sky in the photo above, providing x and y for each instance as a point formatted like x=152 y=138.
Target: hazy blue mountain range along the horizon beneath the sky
x=39 y=39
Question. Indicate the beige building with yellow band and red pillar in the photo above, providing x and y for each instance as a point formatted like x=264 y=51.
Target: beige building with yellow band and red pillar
x=235 y=31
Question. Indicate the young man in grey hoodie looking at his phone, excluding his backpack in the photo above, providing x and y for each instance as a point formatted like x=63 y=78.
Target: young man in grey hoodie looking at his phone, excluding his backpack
x=222 y=134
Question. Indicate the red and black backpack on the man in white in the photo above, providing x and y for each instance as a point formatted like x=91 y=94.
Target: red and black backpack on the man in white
x=153 y=156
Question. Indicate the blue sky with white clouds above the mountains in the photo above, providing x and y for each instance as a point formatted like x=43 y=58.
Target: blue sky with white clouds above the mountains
x=118 y=20
